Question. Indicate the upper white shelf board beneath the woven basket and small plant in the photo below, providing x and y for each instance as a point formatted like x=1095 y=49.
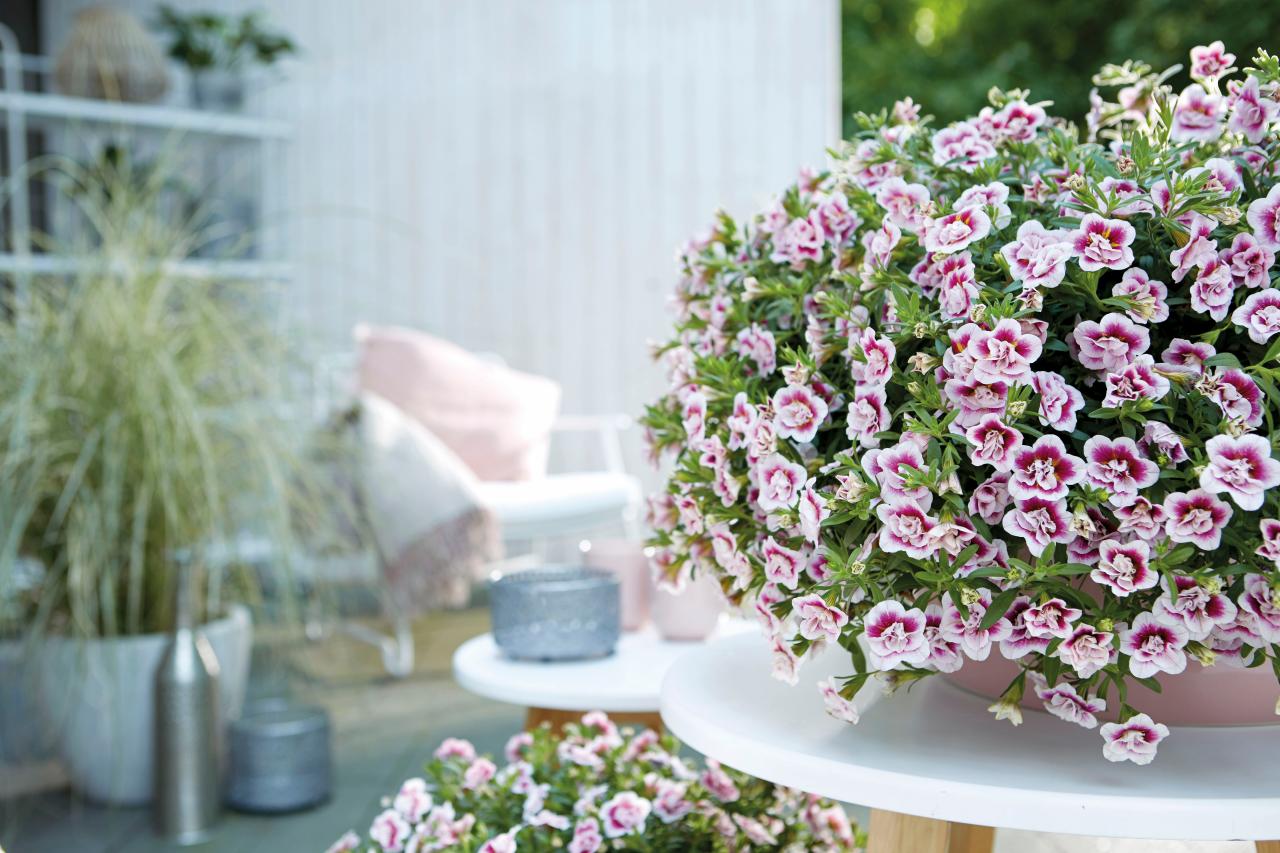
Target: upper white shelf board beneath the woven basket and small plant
x=62 y=108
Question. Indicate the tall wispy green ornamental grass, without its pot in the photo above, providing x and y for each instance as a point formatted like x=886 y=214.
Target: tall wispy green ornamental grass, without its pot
x=147 y=418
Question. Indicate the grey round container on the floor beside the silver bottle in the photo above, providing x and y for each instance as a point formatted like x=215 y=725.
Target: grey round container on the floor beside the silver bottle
x=280 y=759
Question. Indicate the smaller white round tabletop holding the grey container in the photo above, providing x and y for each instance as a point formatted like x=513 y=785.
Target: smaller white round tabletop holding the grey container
x=628 y=681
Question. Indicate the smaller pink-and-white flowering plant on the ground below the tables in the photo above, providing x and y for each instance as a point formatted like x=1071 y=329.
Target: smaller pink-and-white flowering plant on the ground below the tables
x=547 y=804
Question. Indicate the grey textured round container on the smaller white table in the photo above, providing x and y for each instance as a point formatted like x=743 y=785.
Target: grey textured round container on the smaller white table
x=556 y=614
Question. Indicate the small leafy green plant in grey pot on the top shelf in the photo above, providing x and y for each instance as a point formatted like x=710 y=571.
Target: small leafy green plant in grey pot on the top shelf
x=218 y=49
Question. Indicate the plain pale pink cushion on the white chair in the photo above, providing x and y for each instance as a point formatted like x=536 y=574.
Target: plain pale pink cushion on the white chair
x=496 y=419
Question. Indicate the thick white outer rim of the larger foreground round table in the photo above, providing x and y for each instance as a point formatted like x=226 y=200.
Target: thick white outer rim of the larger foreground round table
x=1005 y=808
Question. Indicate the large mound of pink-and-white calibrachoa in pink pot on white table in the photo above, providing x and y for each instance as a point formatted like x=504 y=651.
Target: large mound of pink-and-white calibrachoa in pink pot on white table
x=999 y=402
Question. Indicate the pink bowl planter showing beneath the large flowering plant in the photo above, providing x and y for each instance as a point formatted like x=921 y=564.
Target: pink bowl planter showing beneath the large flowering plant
x=1203 y=696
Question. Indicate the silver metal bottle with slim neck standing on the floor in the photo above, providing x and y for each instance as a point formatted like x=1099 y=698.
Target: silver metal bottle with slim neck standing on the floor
x=189 y=731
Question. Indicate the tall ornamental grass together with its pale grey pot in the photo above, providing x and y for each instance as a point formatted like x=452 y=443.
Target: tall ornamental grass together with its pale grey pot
x=144 y=427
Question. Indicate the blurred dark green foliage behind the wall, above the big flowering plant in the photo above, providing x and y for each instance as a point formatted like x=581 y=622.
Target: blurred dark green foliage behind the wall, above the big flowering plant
x=947 y=54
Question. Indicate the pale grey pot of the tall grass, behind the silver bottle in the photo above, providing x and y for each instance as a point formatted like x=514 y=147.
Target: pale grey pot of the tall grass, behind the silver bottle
x=100 y=699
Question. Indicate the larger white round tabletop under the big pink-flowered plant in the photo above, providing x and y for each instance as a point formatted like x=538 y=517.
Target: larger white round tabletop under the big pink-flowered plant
x=936 y=752
